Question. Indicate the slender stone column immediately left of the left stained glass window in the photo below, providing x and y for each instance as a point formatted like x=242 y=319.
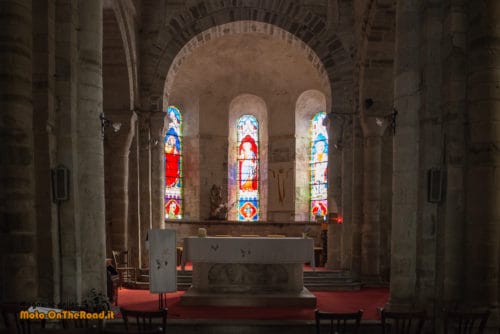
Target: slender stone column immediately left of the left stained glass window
x=157 y=169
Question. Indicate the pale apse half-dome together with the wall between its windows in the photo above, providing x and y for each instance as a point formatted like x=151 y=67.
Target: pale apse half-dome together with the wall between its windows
x=277 y=47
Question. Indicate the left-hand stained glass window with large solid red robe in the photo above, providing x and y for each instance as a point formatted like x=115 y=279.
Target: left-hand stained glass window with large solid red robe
x=173 y=165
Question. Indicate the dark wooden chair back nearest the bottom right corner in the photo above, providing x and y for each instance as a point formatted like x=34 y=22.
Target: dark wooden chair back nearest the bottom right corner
x=465 y=322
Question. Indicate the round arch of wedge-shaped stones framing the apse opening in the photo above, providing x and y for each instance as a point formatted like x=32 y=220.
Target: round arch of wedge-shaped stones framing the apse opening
x=333 y=48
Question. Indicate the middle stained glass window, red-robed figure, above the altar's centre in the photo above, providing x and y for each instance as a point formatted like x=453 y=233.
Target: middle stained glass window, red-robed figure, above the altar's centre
x=248 y=168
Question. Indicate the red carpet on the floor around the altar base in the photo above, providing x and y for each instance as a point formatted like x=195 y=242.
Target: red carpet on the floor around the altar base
x=333 y=301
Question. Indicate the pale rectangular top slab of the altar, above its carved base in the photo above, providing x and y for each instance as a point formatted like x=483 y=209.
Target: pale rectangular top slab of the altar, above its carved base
x=248 y=250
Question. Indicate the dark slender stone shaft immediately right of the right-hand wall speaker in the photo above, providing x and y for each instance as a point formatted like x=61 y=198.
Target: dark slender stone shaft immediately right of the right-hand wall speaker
x=454 y=94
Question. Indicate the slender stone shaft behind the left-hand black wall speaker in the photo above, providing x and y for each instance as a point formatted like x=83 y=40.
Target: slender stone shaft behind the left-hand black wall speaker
x=68 y=261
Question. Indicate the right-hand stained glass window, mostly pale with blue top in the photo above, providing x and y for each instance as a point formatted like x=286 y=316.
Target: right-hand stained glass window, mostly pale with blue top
x=319 y=167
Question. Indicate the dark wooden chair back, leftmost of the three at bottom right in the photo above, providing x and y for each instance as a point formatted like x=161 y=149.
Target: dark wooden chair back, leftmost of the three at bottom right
x=340 y=323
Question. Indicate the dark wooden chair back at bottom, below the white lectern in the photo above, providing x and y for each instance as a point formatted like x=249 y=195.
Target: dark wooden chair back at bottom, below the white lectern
x=144 y=320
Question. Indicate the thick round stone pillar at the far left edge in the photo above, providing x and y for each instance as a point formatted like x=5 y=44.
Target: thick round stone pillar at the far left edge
x=17 y=186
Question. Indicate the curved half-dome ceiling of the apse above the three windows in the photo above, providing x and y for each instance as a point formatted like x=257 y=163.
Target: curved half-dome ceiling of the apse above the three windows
x=255 y=63
